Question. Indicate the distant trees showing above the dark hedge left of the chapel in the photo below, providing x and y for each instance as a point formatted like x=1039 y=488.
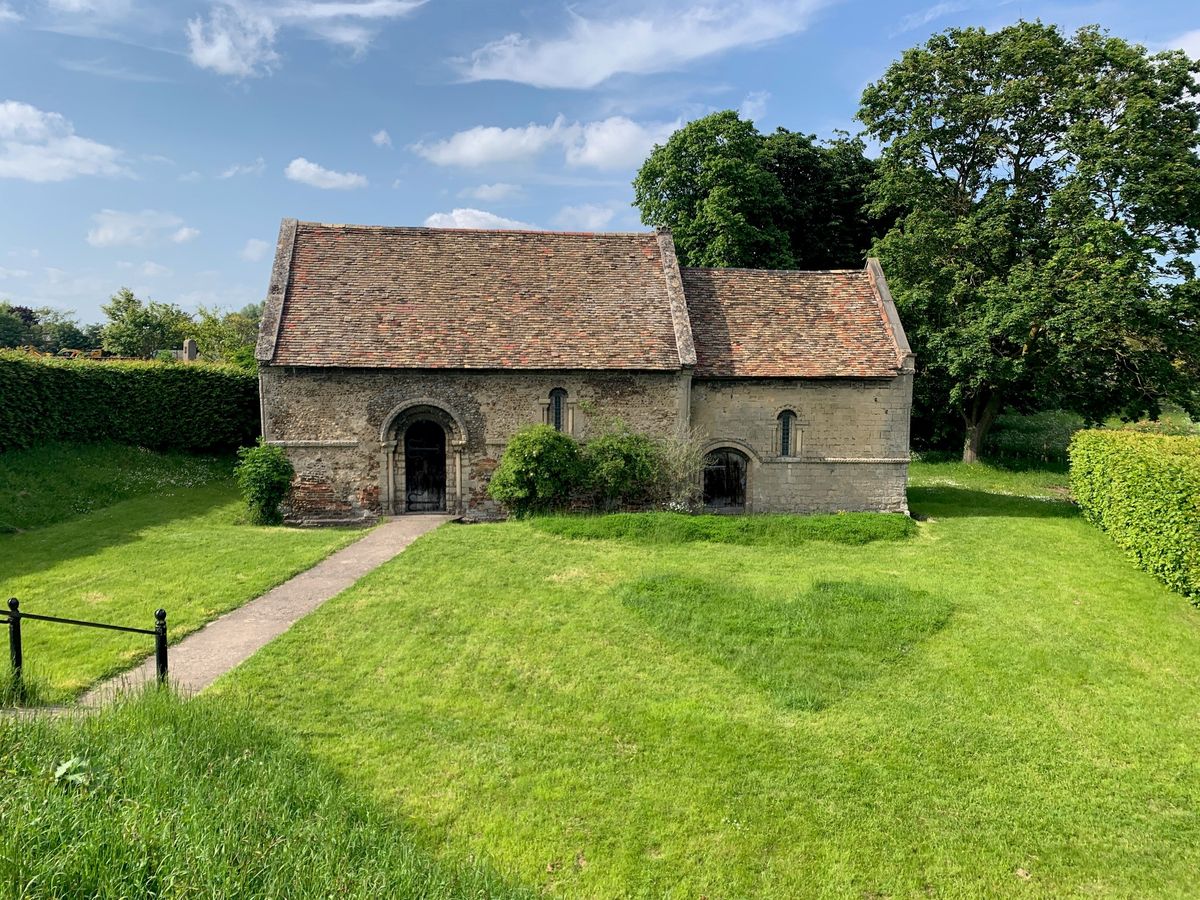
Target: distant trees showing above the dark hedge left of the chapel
x=136 y=328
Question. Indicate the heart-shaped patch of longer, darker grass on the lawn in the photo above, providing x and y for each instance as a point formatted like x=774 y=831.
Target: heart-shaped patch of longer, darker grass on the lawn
x=805 y=650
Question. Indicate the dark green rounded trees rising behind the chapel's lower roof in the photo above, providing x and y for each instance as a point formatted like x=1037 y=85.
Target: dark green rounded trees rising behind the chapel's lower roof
x=734 y=197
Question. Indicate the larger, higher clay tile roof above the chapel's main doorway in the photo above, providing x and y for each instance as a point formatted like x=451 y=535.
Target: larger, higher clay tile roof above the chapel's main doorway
x=429 y=298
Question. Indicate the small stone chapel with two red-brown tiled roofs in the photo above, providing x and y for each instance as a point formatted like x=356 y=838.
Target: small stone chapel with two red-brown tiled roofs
x=397 y=363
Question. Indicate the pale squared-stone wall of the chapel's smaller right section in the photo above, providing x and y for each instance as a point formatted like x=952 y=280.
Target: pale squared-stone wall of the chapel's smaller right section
x=850 y=440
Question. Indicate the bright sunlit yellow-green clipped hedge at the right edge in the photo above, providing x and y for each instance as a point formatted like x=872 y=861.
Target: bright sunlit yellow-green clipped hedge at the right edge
x=1144 y=490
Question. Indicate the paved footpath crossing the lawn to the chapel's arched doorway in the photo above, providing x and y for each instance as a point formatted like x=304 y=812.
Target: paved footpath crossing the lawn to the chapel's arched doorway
x=201 y=658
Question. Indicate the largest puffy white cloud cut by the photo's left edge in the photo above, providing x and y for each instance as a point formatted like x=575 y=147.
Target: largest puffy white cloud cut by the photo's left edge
x=43 y=147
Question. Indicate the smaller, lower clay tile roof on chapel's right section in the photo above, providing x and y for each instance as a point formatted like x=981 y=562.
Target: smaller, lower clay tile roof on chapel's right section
x=809 y=325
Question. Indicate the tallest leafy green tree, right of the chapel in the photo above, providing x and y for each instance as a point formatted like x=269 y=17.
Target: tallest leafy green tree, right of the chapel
x=1053 y=195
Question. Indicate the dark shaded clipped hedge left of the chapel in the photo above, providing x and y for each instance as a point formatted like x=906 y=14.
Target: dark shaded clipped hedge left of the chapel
x=155 y=405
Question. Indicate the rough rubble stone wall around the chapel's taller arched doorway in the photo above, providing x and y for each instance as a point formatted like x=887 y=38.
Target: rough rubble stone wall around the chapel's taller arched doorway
x=331 y=422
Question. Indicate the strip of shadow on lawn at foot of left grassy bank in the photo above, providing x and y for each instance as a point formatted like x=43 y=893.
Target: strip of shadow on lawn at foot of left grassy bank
x=122 y=524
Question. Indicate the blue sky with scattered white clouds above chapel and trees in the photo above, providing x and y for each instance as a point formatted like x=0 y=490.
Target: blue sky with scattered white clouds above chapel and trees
x=157 y=146
